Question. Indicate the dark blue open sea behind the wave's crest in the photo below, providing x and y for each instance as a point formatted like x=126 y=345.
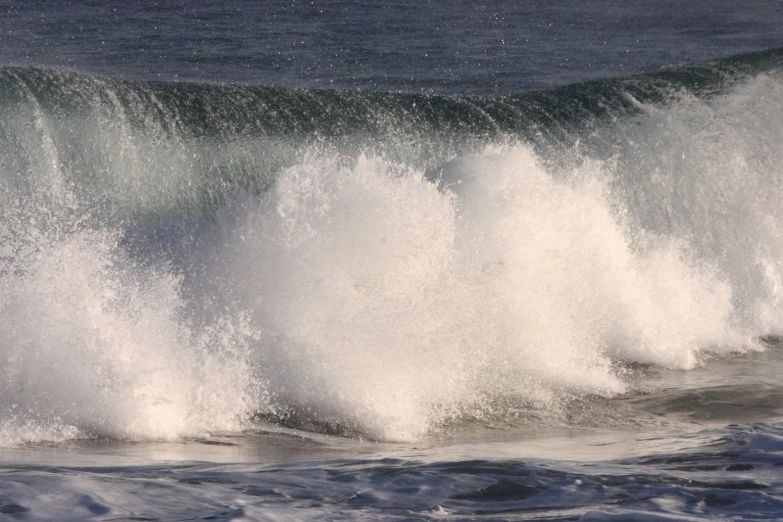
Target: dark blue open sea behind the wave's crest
x=427 y=46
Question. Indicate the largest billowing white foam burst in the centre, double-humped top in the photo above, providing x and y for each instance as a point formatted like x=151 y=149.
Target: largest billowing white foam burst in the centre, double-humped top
x=397 y=301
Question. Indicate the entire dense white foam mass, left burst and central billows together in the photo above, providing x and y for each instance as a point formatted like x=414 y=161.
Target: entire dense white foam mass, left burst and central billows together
x=358 y=293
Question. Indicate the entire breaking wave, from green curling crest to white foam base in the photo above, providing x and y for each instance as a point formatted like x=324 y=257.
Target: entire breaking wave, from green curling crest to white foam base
x=178 y=258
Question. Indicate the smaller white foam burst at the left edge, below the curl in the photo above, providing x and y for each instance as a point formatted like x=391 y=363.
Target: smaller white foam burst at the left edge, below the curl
x=92 y=346
